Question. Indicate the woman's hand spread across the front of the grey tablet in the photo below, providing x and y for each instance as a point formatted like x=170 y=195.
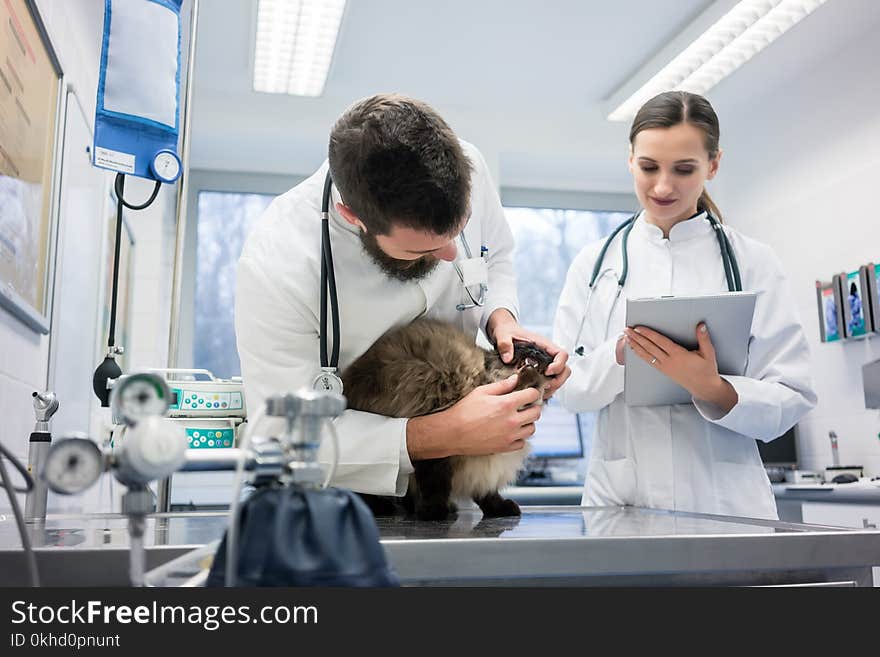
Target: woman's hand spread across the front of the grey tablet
x=696 y=371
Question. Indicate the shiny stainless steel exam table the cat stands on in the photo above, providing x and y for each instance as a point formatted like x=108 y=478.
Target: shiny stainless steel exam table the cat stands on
x=546 y=545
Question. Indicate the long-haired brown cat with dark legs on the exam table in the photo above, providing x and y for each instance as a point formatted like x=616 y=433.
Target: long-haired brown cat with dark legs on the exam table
x=426 y=367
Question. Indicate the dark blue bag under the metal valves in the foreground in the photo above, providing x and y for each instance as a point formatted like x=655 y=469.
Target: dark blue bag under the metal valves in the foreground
x=292 y=536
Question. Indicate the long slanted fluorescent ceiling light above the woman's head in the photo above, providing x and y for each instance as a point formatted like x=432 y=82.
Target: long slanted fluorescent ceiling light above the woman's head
x=739 y=35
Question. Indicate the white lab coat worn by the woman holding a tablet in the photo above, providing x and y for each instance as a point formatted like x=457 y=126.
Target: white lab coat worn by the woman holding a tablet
x=688 y=457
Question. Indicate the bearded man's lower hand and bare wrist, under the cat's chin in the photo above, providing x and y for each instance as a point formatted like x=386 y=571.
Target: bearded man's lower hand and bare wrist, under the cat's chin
x=489 y=420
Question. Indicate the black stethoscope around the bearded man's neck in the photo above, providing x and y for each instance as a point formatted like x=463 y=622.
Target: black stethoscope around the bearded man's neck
x=327 y=379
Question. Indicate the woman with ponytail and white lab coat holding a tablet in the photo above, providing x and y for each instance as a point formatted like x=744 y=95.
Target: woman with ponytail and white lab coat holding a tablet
x=700 y=456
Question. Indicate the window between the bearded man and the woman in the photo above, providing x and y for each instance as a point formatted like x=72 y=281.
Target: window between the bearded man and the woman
x=547 y=241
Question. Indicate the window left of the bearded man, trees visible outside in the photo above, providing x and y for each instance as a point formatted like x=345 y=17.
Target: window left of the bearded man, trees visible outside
x=224 y=219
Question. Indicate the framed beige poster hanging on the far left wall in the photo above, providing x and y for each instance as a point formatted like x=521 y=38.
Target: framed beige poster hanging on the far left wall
x=29 y=84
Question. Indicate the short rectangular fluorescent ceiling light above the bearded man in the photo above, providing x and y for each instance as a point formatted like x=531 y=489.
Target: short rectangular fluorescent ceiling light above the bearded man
x=294 y=45
